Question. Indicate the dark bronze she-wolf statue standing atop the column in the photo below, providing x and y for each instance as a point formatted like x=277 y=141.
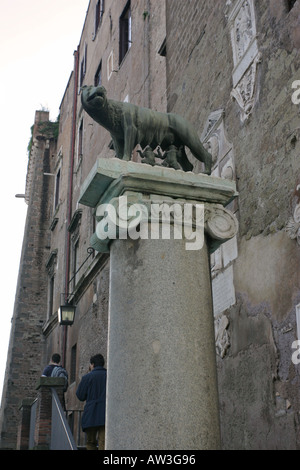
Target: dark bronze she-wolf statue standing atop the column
x=130 y=125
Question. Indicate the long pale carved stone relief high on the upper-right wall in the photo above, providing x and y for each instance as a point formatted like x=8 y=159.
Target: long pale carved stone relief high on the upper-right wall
x=246 y=57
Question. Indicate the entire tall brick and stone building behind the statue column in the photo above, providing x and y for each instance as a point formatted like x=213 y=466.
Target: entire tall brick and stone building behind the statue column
x=229 y=67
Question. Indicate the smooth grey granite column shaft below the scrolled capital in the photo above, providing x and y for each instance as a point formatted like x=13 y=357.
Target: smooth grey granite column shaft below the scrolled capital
x=162 y=386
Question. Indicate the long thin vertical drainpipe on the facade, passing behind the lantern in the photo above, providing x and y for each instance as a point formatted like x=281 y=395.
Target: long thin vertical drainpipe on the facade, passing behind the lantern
x=70 y=191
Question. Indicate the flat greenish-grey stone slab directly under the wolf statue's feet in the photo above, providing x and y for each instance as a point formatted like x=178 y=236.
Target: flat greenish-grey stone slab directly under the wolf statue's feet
x=111 y=177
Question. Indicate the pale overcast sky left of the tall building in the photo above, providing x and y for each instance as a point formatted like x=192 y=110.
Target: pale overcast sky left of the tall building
x=37 y=41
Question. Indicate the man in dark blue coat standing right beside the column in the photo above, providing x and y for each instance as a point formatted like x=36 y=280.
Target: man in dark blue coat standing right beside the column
x=92 y=389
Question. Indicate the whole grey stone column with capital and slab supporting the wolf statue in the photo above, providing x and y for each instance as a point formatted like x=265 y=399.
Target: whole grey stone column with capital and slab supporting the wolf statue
x=162 y=384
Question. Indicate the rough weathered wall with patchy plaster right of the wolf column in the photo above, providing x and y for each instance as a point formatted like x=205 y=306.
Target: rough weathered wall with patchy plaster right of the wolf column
x=259 y=384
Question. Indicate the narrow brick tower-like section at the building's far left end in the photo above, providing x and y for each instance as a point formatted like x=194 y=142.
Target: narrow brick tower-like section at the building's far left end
x=25 y=356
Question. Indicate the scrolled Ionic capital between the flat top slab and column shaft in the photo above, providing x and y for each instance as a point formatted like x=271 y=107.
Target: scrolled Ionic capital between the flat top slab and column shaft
x=129 y=215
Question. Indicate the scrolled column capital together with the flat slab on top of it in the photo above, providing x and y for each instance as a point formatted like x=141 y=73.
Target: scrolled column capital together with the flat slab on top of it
x=128 y=197
